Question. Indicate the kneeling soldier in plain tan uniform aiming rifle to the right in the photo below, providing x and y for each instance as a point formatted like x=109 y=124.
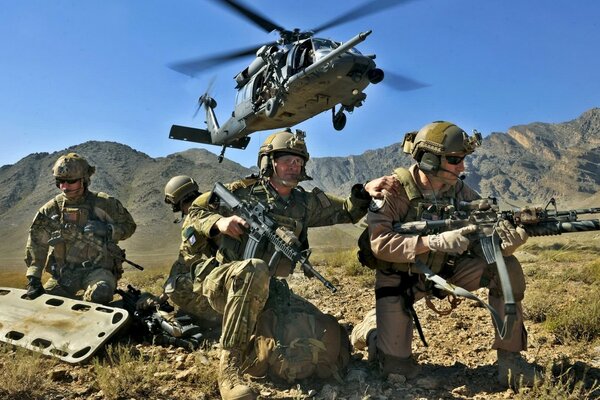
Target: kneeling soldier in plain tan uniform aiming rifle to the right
x=427 y=188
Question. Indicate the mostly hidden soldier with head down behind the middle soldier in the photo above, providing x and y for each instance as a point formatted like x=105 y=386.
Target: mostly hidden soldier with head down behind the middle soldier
x=180 y=192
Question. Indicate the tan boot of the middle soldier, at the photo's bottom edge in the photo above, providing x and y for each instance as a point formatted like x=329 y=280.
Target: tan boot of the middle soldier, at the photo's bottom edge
x=231 y=383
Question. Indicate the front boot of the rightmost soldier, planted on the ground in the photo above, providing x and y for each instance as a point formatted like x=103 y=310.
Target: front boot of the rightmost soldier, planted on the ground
x=516 y=372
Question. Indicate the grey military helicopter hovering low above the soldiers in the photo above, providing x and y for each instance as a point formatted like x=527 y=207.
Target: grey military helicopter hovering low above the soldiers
x=290 y=80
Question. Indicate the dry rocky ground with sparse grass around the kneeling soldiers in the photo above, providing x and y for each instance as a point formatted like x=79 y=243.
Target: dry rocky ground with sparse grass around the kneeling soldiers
x=561 y=312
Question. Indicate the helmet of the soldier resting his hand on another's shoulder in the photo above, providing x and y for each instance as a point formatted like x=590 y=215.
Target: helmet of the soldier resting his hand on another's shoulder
x=283 y=142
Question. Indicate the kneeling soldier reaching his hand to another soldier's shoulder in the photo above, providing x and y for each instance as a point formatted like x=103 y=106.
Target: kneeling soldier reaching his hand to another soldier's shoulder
x=241 y=288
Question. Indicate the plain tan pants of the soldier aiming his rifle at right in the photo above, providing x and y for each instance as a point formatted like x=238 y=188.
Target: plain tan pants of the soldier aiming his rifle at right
x=395 y=327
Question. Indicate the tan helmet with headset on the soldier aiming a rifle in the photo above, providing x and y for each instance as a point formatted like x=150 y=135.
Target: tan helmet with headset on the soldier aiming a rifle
x=437 y=139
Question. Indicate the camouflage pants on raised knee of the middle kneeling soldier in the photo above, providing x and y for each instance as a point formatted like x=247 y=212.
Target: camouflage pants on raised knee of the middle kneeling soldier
x=239 y=291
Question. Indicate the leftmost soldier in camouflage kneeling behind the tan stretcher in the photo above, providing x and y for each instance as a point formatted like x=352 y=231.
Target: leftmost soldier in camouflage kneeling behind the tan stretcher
x=74 y=236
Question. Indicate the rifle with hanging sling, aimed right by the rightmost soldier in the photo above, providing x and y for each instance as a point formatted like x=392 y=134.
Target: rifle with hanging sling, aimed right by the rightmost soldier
x=485 y=214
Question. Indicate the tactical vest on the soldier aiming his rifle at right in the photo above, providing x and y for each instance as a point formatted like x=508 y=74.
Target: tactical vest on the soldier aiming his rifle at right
x=419 y=209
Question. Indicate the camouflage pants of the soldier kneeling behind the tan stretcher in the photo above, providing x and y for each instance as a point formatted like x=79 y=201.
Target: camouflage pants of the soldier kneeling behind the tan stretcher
x=98 y=284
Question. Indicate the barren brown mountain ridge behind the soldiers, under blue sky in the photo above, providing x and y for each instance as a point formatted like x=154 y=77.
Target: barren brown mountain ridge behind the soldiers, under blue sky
x=529 y=164
